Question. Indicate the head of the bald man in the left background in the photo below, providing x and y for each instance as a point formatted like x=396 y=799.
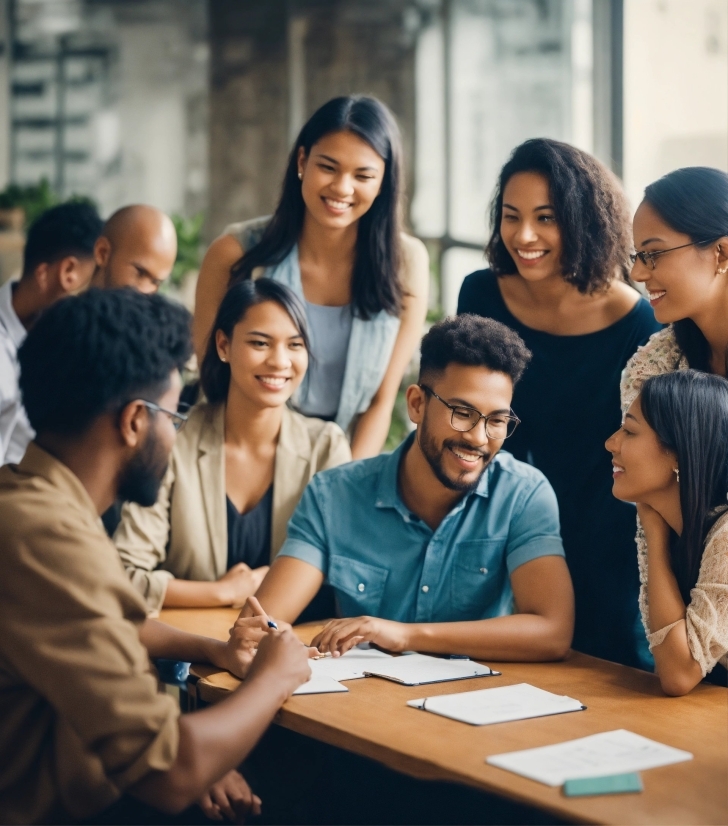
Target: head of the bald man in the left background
x=137 y=248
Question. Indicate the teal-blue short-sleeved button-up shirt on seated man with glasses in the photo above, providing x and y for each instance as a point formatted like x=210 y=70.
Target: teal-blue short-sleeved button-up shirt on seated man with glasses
x=384 y=561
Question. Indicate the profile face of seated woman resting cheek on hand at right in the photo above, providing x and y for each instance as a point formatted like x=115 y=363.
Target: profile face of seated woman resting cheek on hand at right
x=644 y=471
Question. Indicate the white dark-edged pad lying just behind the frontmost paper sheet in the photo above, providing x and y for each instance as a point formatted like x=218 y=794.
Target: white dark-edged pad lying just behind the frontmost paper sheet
x=498 y=705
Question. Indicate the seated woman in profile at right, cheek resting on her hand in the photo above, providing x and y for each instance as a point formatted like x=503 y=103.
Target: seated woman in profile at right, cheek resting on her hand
x=670 y=458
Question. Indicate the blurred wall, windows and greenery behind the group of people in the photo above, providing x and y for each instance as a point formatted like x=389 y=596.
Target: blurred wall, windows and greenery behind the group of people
x=192 y=105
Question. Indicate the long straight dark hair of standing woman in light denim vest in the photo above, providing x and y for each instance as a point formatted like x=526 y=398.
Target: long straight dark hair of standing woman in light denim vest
x=376 y=283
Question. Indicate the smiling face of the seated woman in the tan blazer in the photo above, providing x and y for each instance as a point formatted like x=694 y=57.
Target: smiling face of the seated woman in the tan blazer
x=267 y=355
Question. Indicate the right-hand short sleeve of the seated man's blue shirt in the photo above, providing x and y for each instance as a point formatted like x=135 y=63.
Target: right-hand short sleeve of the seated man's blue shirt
x=534 y=529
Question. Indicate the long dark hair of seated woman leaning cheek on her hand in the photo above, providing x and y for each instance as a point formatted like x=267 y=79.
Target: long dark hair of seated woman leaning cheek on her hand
x=688 y=411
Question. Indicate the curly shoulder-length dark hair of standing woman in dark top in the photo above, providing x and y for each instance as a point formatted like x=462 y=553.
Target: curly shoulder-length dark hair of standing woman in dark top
x=590 y=207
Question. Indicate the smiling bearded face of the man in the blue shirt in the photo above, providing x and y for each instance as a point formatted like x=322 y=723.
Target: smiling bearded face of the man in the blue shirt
x=458 y=459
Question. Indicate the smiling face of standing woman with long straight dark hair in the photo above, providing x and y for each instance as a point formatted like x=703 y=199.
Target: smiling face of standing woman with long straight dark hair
x=342 y=176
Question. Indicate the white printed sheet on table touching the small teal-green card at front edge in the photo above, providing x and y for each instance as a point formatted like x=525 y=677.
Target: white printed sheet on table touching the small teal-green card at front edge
x=611 y=752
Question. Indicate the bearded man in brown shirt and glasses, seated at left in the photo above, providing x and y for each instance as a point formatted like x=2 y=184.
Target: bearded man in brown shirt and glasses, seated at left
x=81 y=719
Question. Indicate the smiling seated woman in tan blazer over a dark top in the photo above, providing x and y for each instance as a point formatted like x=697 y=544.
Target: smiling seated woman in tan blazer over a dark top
x=240 y=464
